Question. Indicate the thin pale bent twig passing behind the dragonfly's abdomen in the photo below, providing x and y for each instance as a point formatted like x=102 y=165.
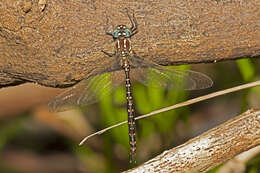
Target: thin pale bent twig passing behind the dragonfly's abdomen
x=189 y=102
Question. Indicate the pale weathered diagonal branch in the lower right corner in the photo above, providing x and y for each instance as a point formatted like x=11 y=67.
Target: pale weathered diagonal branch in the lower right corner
x=211 y=148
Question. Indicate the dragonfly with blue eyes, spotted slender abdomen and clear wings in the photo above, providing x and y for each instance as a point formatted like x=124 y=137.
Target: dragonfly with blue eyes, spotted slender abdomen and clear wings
x=124 y=66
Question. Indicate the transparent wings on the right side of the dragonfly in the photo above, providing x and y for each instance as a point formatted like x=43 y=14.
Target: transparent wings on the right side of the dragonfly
x=173 y=79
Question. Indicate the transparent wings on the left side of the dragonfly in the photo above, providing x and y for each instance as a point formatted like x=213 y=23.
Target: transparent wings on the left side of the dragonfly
x=90 y=90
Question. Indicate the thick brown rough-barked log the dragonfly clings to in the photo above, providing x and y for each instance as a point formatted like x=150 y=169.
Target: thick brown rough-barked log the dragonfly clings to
x=58 y=42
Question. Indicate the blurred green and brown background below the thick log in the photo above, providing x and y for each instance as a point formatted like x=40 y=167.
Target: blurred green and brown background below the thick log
x=35 y=140
